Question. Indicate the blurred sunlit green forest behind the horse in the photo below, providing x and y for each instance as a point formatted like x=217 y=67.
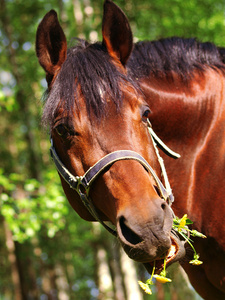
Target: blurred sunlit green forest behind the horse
x=46 y=250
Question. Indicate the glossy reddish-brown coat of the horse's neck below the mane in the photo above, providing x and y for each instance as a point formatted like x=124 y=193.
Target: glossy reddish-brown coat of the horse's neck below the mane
x=191 y=121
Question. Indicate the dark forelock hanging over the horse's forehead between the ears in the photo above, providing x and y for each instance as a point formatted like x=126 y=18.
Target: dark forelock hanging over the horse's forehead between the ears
x=88 y=69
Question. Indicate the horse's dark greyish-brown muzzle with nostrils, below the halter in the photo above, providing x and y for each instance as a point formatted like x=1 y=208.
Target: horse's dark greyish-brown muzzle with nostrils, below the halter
x=145 y=240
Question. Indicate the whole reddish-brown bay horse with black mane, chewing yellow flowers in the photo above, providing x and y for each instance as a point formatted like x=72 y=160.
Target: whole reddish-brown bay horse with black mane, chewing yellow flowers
x=101 y=97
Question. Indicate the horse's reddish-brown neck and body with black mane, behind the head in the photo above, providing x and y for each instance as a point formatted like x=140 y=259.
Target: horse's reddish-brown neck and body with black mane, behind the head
x=183 y=82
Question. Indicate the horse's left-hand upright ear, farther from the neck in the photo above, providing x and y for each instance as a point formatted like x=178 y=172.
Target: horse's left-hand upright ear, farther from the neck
x=51 y=46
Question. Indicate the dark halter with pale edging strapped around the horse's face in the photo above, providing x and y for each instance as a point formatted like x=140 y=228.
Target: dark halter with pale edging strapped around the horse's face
x=82 y=184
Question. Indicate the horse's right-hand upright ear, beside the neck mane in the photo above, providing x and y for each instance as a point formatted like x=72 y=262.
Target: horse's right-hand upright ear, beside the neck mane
x=116 y=32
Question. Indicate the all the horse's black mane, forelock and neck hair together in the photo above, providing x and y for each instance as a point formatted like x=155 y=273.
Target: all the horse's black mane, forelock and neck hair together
x=90 y=67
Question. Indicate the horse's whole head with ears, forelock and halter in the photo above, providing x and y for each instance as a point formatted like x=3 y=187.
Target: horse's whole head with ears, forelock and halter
x=98 y=116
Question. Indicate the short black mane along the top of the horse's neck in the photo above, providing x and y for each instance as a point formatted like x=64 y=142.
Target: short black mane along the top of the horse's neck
x=178 y=55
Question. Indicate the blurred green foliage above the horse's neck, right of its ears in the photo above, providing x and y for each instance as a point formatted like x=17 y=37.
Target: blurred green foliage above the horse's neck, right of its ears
x=160 y=19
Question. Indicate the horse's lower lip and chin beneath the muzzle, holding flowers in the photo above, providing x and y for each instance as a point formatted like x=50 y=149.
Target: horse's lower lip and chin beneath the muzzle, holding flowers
x=175 y=253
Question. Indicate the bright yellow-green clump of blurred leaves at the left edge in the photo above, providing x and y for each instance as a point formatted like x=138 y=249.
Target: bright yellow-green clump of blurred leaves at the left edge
x=27 y=205
